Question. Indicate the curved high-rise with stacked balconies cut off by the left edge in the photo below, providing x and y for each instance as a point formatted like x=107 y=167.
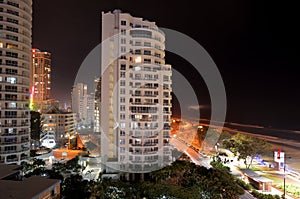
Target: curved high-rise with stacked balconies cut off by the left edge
x=15 y=62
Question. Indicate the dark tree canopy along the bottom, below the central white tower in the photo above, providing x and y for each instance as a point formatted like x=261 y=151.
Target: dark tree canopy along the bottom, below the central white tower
x=182 y=179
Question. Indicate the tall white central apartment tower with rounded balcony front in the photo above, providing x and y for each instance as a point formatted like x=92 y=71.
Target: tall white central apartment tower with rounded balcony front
x=135 y=95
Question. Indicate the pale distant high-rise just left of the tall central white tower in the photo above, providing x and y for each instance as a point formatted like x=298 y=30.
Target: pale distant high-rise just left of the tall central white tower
x=83 y=105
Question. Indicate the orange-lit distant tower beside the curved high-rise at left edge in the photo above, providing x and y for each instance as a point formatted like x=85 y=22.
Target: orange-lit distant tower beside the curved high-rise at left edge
x=41 y=75
